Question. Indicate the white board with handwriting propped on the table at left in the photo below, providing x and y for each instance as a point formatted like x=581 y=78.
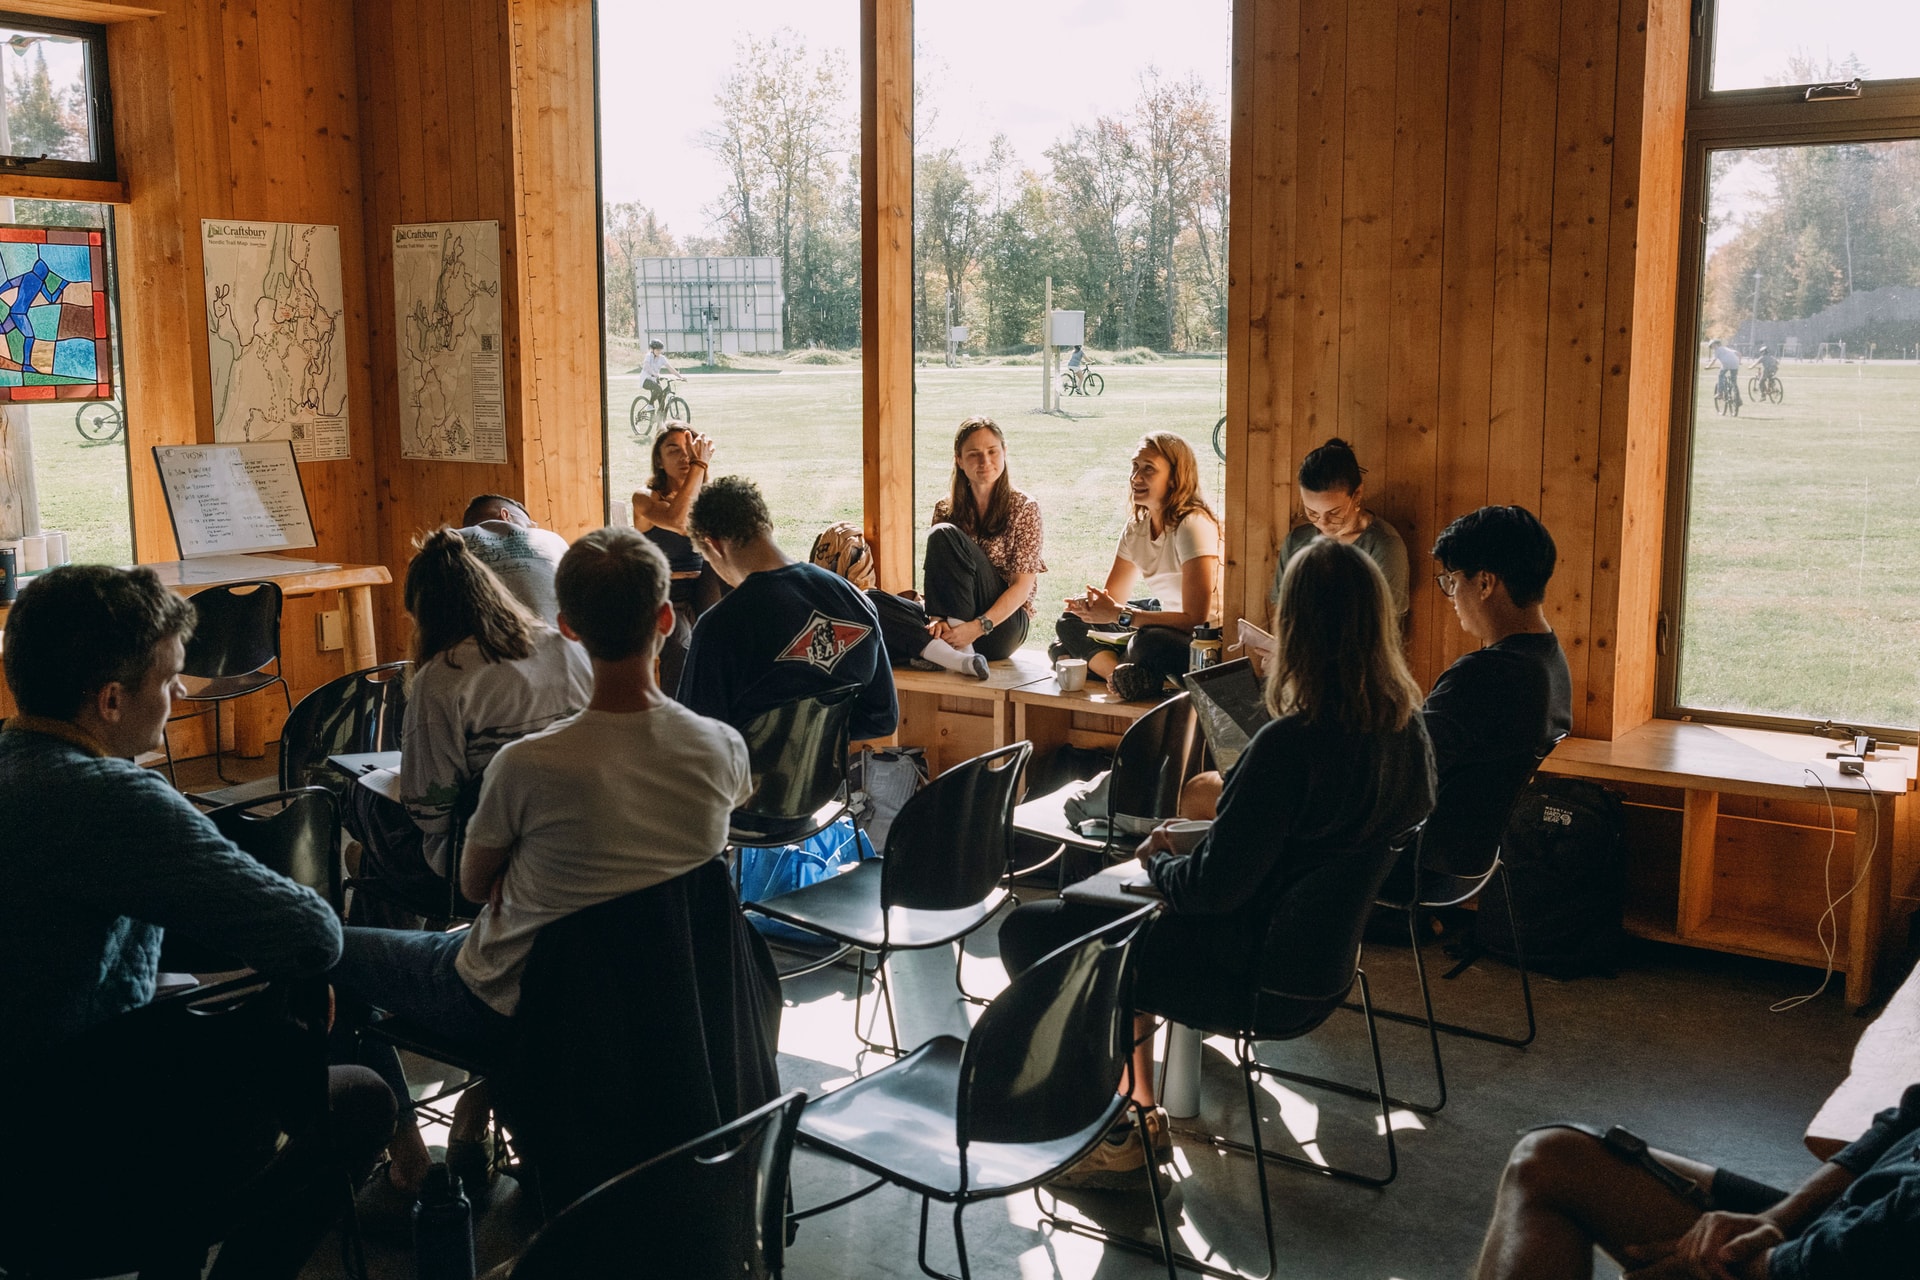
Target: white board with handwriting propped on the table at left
x=231 y=500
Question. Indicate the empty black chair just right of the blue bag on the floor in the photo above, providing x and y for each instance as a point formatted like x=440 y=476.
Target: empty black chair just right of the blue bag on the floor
x=942 y=878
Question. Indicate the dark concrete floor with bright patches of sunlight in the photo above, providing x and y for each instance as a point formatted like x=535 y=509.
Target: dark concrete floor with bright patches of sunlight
x=1681 y=1049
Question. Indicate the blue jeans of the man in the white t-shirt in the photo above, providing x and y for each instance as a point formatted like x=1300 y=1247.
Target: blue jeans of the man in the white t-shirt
x=412 y=976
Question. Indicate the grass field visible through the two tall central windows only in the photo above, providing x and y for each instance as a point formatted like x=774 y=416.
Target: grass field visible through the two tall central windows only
x=798 y=435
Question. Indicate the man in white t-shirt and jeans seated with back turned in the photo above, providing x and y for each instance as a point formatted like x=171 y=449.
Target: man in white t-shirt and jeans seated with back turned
x=633 y=792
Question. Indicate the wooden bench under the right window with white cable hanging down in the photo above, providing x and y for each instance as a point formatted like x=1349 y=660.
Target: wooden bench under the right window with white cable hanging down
x=1710 y=763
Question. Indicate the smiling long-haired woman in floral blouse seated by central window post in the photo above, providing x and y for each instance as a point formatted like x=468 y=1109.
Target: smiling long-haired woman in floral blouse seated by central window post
x=984 y=554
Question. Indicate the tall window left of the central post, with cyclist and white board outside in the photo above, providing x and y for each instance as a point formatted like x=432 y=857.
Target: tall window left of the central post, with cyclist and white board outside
x=732 y=235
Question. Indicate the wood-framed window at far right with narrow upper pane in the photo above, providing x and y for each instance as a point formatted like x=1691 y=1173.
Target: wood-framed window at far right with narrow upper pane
x=1798 y=510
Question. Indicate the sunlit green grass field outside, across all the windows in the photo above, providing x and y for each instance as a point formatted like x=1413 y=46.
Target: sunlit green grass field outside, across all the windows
x=1804 y=573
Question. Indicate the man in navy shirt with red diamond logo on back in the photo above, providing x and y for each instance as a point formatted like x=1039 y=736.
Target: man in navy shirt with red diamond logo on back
x=784 y=630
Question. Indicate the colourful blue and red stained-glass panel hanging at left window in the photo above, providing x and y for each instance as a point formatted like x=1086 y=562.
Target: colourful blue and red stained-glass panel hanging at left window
x=55 y=316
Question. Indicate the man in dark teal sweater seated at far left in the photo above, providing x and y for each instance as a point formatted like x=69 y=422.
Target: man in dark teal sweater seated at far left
x=103 y=863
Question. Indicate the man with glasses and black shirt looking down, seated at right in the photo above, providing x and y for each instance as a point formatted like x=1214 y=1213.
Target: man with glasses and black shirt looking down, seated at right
x=1514 y=696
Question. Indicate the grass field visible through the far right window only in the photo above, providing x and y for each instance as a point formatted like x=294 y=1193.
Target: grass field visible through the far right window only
x=1804 y=569
